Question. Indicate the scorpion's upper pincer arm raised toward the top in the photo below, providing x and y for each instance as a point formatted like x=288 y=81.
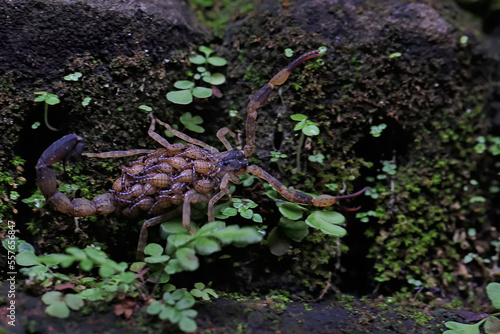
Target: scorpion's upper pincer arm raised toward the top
x=263 y=94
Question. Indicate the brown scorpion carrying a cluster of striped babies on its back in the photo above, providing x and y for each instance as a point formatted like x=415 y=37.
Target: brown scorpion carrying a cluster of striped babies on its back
x=174 y=175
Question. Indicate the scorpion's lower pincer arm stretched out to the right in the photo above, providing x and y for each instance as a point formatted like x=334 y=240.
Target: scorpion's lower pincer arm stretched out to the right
x=297 y=196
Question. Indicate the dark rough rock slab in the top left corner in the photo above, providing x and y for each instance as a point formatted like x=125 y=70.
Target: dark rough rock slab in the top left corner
x=37 y=37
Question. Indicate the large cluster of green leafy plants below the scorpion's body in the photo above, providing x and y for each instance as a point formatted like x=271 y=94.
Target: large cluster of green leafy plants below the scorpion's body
x=113 y=279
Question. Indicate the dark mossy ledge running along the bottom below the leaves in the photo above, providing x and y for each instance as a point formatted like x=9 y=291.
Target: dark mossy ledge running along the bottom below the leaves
x=248 y=315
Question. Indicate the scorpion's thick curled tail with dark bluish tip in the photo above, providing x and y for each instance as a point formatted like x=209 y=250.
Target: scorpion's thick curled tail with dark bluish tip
x=68 y=146
